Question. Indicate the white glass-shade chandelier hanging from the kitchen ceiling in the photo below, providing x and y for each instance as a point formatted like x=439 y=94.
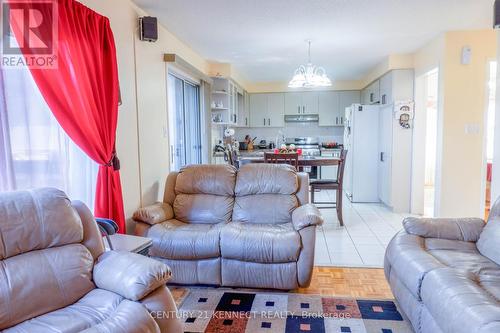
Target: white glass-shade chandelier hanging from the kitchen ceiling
x=309 y=76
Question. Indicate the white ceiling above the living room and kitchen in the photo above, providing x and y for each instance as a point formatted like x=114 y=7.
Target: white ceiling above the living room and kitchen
x=264 y=39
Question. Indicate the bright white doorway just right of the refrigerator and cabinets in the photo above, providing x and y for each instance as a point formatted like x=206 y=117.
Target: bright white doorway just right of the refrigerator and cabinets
x=425 y=144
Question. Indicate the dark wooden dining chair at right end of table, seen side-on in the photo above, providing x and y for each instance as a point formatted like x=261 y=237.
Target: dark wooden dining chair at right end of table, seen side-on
x=332 y=184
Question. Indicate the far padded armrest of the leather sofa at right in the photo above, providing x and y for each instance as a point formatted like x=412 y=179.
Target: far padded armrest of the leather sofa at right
x=461 y=229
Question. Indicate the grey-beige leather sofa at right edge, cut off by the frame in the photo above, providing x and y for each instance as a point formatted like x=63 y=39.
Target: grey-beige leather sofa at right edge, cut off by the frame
x=445 y=273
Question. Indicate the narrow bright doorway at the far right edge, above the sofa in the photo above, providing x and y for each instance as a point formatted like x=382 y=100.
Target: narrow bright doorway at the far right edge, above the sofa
x=490 y=131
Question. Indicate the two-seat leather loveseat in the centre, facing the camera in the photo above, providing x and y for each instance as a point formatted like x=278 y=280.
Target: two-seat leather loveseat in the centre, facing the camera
x=251 y=227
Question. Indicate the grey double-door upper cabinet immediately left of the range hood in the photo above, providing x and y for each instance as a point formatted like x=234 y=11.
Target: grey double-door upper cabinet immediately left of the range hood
x=267 y=110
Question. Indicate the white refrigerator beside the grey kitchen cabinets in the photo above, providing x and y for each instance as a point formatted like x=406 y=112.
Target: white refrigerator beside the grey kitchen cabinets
x=361 y=141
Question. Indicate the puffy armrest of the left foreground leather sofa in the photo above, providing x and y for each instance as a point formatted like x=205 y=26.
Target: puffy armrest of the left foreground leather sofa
x=130 y=275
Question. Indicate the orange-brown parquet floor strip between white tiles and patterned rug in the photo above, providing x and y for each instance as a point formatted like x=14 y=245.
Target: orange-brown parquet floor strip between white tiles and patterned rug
x=349 y=282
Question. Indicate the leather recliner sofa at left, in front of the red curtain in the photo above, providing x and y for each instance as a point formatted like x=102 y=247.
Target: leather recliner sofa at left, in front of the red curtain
x=56 y=277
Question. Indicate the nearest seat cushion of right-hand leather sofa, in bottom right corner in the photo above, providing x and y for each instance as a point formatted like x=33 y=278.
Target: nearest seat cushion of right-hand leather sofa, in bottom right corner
x=458 y=302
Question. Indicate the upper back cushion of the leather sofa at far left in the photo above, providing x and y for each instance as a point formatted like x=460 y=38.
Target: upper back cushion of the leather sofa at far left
x=35 y=220
